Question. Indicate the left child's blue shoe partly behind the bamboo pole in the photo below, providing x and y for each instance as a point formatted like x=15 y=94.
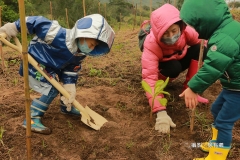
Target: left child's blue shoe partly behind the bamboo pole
x=37 y=126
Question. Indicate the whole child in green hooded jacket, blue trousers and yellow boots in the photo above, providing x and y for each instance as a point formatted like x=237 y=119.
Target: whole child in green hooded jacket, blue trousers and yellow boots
x=213 y=22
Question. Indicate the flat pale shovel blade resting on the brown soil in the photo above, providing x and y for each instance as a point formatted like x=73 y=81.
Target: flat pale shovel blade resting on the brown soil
x=95 y=121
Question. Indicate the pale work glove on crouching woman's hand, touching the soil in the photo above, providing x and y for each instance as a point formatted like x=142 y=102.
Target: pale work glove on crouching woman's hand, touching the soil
x=163 y=122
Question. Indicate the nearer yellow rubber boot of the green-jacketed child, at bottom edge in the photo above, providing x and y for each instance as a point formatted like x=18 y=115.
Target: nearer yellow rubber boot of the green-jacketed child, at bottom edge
x=216 y=153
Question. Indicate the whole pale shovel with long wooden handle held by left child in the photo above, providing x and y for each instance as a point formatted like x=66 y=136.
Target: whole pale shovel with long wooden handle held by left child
x=88 y=116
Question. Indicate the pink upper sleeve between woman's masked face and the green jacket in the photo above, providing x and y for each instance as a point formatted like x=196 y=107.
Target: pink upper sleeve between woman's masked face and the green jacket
x=192 y=36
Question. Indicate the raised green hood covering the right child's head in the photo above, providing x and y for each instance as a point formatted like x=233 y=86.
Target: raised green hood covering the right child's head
x=205 y=16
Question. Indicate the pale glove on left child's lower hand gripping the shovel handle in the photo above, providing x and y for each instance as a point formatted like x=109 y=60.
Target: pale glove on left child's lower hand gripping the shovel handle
x=71 y=89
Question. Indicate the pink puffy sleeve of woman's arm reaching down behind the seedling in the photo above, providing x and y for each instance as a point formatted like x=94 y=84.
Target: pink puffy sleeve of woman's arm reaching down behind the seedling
x=150 y=73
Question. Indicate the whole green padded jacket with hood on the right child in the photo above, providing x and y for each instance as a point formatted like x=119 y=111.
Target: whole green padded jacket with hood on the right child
x=213 y=21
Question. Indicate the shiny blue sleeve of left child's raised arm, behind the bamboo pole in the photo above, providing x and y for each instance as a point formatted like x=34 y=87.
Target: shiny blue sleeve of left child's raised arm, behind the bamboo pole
x=38 y=25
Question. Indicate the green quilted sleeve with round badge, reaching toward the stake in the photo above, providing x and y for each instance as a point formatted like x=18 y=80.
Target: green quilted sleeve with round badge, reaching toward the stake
x=220 y=56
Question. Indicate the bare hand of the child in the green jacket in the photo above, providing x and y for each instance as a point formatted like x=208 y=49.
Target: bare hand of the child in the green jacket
x=190 y=98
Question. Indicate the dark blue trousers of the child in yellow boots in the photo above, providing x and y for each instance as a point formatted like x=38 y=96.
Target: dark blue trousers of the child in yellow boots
x=226 y=111
